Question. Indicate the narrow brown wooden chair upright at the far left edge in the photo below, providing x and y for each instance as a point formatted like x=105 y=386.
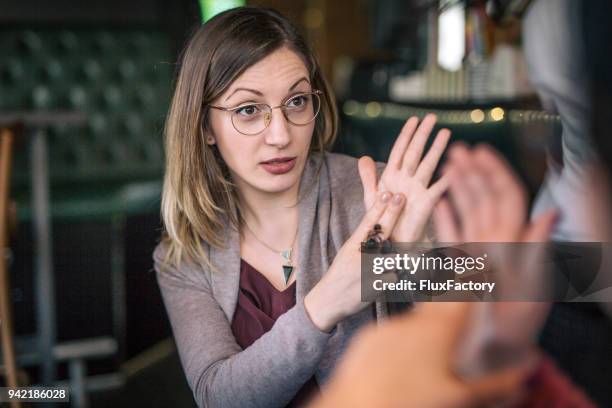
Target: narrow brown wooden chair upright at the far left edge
x=6 y=324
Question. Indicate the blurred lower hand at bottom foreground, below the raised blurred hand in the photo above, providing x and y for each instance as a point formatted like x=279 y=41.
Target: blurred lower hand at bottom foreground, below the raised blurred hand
x=407 y=362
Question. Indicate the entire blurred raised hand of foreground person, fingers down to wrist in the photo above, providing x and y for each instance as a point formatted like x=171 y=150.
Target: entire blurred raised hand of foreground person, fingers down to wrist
x=488 y=204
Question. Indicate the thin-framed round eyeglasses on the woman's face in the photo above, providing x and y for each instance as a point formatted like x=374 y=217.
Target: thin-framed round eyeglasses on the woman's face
x=254 y=118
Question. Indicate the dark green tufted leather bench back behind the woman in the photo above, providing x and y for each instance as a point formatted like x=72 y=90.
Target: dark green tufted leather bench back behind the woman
x=121 y=81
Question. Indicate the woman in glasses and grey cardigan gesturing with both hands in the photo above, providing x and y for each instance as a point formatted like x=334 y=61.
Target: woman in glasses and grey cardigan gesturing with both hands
x=260 y=264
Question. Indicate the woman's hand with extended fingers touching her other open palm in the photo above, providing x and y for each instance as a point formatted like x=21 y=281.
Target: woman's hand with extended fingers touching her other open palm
x=338 y=294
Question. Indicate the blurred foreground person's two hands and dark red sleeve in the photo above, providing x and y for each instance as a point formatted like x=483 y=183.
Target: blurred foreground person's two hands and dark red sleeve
x=419 y=359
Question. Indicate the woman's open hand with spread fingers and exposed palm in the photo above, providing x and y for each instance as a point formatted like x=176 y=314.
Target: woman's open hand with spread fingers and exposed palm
x=410 y=174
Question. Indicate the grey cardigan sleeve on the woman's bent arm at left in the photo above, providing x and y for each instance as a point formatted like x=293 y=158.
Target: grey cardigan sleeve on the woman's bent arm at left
x=266 y=374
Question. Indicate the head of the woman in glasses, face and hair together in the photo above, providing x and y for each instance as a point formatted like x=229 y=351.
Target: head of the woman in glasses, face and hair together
x=220 y=137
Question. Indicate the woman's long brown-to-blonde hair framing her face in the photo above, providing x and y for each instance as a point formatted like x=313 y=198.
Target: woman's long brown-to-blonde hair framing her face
x=199 y=198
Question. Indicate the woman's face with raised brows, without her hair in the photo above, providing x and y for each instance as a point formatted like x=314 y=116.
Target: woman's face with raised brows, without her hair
x=271 y=161
